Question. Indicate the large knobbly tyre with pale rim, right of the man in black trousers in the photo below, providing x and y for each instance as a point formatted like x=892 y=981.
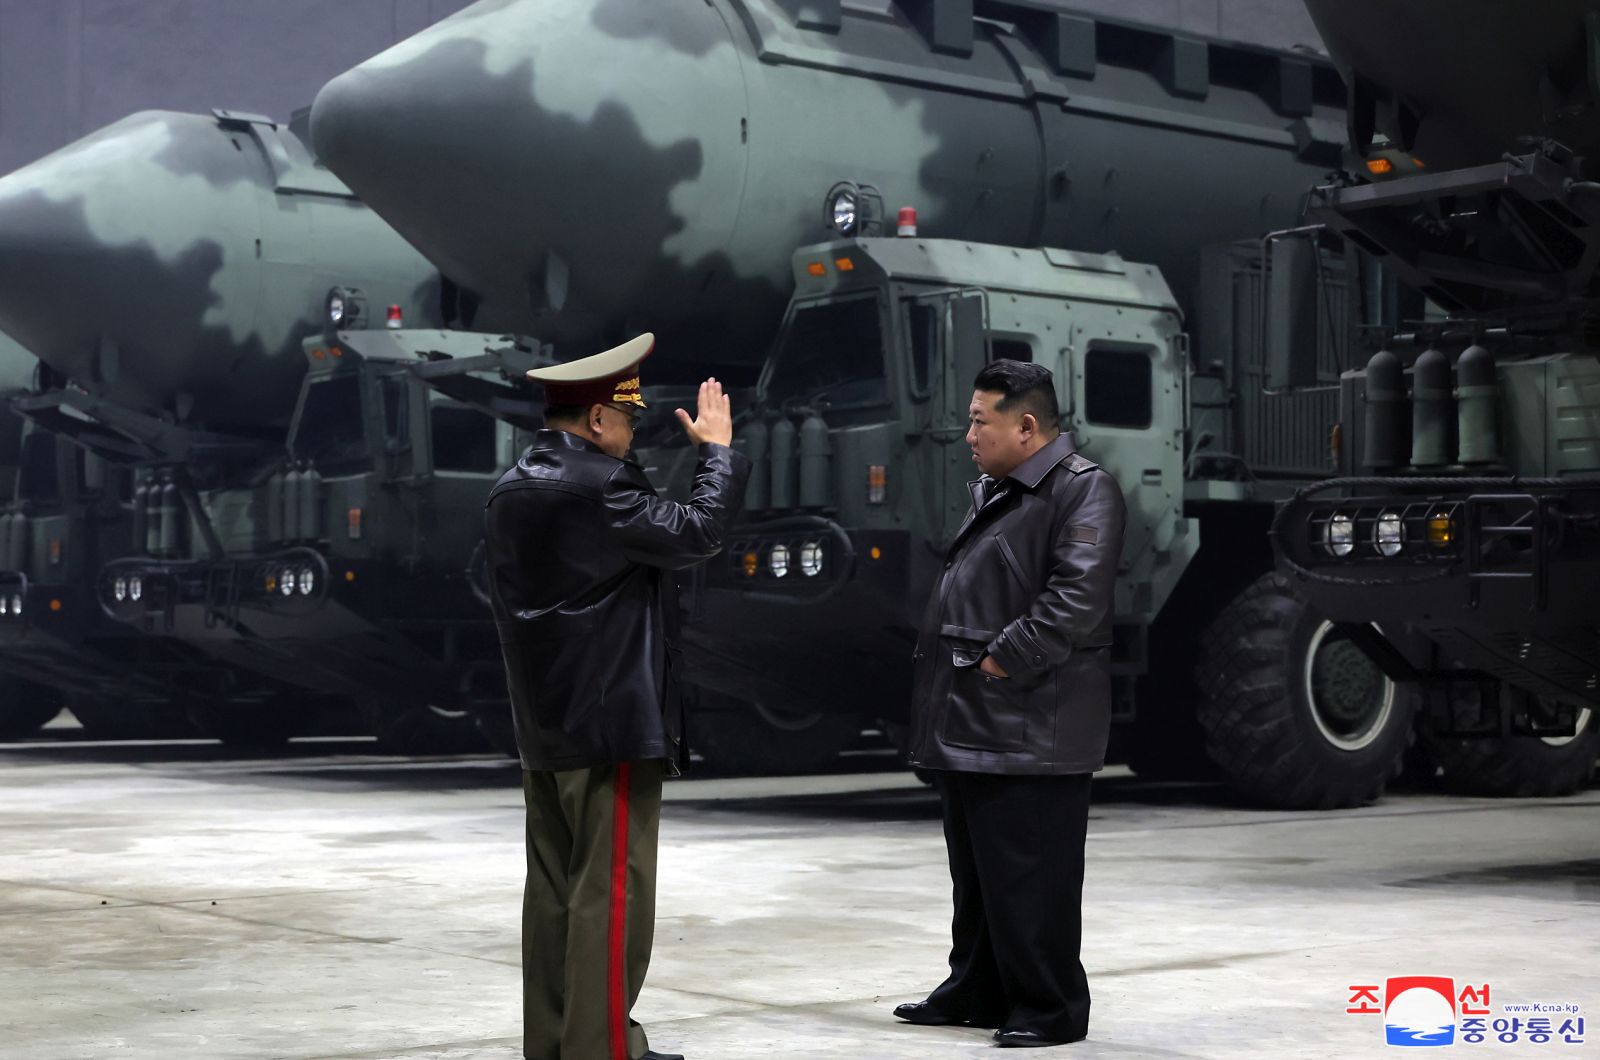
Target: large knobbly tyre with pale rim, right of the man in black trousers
x=1294 y=713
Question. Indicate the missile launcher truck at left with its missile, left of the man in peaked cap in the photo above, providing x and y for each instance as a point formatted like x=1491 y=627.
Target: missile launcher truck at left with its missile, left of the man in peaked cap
x=178 y=275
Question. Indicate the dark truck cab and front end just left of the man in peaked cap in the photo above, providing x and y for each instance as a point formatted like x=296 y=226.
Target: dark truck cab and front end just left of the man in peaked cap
x=346 y=566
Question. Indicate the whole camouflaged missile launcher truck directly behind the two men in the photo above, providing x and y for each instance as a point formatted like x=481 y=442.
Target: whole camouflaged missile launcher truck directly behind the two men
x=601 y=169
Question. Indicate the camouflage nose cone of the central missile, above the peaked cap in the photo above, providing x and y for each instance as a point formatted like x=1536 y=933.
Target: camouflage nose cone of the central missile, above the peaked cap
x=542 y=155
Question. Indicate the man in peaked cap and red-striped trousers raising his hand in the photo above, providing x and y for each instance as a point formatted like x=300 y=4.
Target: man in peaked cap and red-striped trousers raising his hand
x=582 y=552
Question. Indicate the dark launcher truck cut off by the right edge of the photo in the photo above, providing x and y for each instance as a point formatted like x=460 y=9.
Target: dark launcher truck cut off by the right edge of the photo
x=1462 y=544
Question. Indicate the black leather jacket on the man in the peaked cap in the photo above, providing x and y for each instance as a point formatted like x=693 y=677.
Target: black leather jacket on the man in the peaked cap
x=578 y=545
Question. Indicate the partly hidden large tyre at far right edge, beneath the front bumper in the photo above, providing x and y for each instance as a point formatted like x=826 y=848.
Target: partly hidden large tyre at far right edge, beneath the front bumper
x=1519 y=766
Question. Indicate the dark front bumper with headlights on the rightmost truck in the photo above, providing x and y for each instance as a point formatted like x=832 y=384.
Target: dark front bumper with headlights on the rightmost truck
x=1500 y=576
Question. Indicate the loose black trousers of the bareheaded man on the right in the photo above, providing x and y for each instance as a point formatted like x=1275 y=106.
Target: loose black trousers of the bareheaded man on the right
x=1017 y=865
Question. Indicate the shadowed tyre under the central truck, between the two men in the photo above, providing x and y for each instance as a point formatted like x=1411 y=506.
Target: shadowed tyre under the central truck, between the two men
x=753 y=739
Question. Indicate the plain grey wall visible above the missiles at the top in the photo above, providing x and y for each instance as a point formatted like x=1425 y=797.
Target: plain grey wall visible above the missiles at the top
x=73 y=66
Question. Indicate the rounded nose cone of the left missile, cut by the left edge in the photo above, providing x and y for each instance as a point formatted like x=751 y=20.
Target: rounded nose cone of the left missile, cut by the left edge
x=111 y=246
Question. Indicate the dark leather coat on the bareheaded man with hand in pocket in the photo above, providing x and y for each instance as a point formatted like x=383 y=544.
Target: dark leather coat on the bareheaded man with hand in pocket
x=1028 y=580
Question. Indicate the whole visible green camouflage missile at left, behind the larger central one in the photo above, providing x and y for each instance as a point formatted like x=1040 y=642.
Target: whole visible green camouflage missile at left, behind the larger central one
x=174 y=263
